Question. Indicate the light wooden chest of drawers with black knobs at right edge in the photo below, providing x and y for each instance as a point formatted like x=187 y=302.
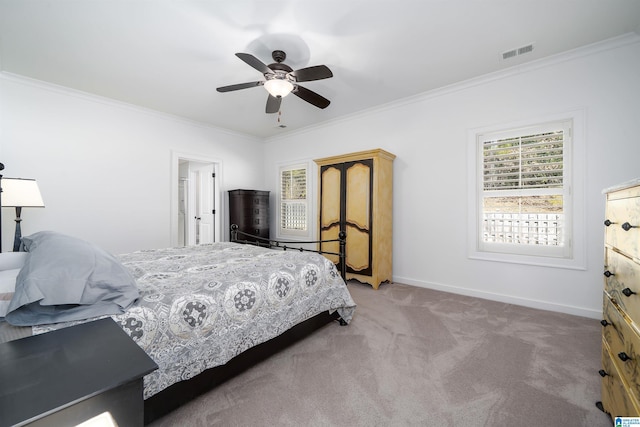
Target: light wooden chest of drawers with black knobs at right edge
x=621 y=303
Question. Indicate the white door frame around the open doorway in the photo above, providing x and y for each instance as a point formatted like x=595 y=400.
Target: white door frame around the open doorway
x=176 y=157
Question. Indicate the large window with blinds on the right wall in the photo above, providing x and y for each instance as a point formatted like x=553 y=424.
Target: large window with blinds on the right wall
x=524 y=198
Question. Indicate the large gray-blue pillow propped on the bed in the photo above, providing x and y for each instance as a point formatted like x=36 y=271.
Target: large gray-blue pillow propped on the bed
x=65 y=278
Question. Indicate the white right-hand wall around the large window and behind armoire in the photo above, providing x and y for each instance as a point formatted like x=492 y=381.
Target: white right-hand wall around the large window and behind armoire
x=429 y=136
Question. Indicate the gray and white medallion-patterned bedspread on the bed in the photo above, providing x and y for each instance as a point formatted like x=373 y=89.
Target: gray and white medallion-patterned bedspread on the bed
x=202 y=305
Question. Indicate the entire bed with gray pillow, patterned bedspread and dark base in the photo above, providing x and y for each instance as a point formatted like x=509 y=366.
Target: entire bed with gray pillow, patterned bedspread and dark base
x=202 y=313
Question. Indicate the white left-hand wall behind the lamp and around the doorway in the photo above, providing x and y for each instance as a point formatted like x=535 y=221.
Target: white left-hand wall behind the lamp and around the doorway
x=103 y=167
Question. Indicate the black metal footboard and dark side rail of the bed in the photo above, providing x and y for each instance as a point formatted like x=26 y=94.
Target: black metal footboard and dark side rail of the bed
x=182 y=392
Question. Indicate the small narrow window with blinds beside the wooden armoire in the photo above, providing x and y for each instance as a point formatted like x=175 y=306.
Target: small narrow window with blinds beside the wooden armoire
x=294 y=205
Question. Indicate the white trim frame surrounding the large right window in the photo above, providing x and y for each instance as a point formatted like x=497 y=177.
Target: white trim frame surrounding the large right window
x=573 y=253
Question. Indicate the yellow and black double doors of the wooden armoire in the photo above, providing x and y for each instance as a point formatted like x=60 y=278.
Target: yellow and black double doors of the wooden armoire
x=345 y=204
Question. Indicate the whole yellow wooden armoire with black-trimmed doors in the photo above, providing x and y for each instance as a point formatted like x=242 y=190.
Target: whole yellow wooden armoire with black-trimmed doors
x=356 y=195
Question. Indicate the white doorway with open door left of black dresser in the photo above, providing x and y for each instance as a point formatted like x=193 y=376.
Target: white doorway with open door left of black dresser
x=195 y=205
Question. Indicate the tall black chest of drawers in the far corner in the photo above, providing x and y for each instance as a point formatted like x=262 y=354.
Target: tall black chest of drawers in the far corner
x=249 y=210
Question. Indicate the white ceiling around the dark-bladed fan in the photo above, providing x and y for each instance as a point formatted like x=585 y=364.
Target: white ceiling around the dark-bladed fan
x=170 y=56
